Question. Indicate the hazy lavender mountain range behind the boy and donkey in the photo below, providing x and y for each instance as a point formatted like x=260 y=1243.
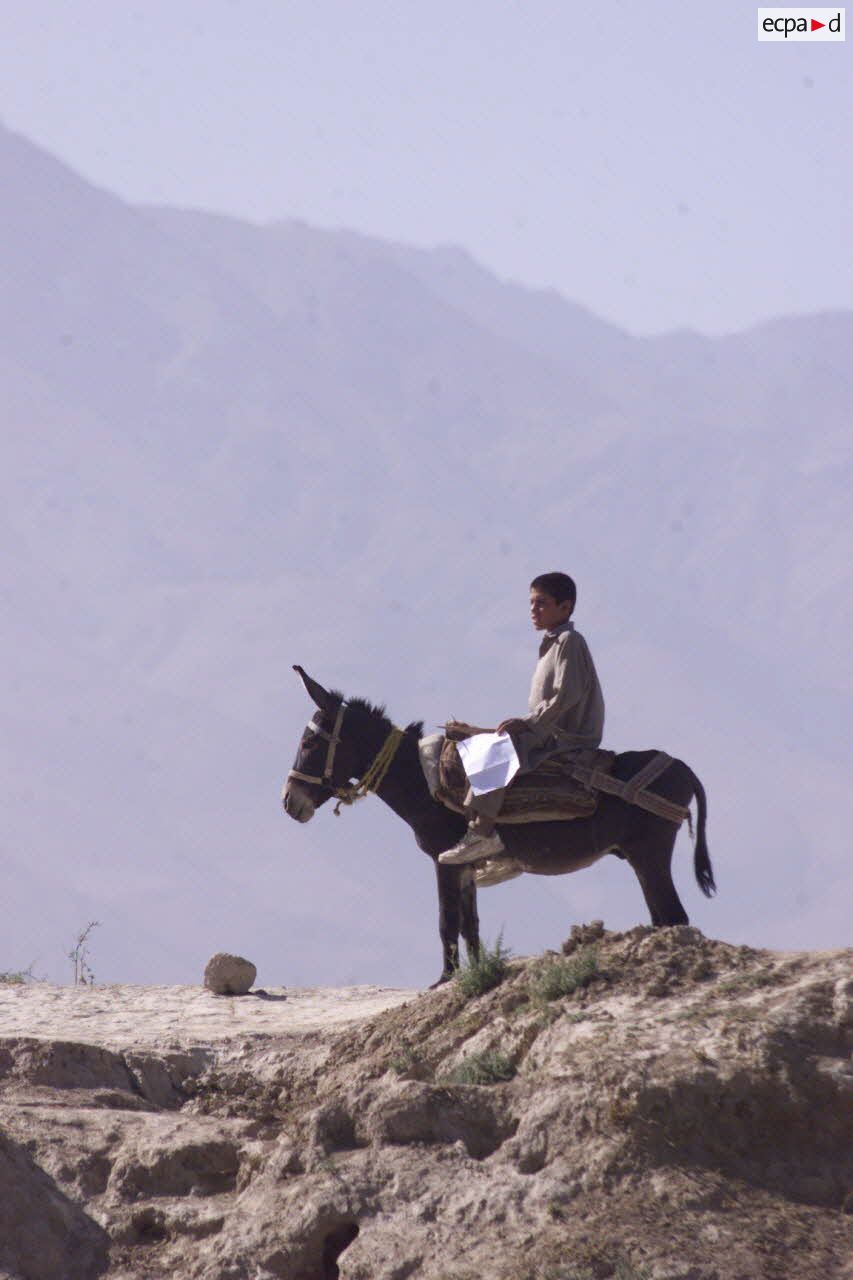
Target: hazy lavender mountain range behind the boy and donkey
x=229 y=449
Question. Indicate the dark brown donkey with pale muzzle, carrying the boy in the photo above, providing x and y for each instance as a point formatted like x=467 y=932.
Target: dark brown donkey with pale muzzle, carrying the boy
x=352 y=739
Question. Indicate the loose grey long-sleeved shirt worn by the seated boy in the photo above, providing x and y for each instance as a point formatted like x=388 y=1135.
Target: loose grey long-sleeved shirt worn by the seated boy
x=565 y=696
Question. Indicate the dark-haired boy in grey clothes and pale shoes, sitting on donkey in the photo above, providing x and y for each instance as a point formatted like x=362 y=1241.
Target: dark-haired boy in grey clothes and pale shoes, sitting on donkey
x=567 y=715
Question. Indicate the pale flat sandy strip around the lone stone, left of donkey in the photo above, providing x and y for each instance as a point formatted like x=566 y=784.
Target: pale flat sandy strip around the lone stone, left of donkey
x=118 y=1017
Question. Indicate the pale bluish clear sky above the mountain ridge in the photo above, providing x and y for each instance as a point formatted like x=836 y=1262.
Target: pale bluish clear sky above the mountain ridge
x=650 y=161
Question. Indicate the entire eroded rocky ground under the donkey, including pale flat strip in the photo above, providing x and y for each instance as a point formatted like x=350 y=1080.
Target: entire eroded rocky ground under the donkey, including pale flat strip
x=649 y=1107
